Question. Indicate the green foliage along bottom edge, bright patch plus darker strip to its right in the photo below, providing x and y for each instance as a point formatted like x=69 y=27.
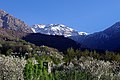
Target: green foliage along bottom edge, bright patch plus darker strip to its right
x=39 y=72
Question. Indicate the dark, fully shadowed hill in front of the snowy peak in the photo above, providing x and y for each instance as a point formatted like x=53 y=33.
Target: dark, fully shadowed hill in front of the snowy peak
x=59 y=42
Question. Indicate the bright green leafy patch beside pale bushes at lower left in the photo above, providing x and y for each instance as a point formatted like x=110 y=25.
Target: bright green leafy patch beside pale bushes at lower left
x=36 y=71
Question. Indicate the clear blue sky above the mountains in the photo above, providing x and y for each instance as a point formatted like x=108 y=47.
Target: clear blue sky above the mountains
x=82 y=15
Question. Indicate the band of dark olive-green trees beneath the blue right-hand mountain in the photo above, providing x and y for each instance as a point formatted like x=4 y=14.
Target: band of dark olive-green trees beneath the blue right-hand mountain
x=106 y=56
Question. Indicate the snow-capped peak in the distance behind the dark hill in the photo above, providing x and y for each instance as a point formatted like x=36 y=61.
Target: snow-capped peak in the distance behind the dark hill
x=56 y=29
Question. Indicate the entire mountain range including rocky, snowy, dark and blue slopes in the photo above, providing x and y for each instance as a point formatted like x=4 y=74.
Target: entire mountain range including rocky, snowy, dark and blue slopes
x=58 y=36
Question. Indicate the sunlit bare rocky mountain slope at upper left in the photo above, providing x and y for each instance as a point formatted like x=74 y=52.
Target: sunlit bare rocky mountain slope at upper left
x=9 y=22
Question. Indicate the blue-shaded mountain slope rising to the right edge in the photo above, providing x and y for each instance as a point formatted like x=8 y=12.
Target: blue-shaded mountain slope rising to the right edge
x=108 y=39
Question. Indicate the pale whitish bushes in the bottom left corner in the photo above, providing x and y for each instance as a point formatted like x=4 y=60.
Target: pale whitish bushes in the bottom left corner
x=11 y=68
